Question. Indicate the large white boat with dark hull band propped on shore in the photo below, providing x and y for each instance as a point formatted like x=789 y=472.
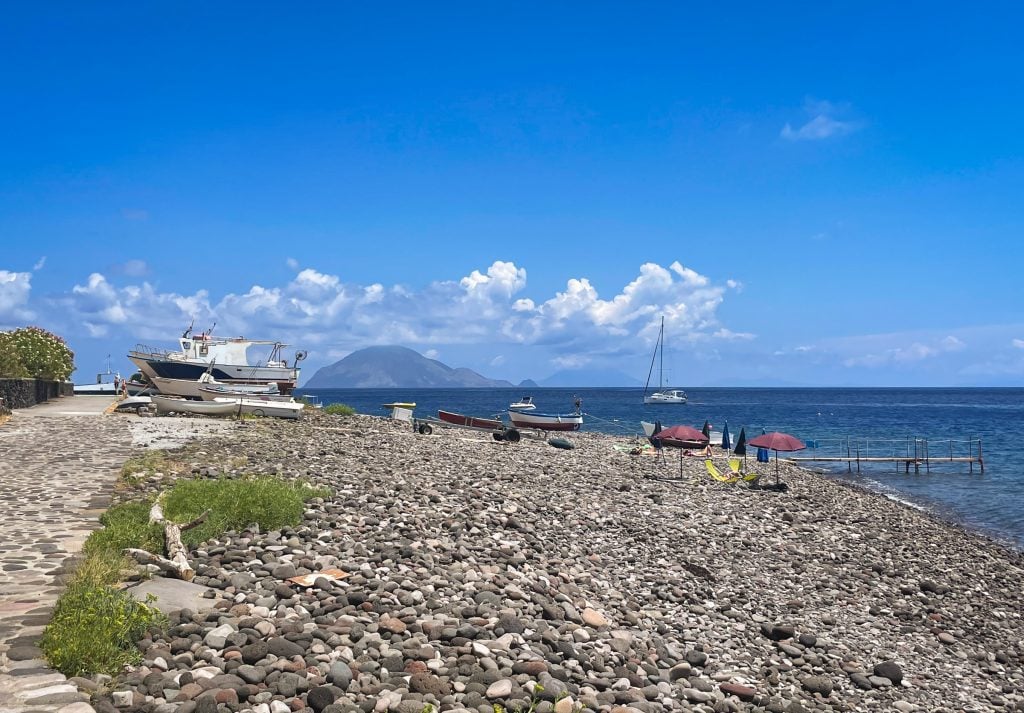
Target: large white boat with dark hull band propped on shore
x=226 y=359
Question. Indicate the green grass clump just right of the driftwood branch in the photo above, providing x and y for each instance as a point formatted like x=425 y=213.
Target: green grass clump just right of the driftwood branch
x=234 y=505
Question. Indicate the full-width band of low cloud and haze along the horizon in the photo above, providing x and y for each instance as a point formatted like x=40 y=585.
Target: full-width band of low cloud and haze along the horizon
x=489 y=320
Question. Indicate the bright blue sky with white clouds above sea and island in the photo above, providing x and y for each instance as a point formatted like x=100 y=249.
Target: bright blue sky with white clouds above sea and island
x=825 y=195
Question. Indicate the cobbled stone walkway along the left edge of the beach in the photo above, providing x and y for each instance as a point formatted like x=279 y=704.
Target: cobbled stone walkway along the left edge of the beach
x=59 y=464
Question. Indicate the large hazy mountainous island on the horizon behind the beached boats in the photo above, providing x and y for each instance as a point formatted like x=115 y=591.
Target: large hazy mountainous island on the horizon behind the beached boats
x=393 y=366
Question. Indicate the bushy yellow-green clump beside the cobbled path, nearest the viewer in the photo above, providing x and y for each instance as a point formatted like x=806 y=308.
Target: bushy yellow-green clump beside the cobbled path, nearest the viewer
x=95 y=625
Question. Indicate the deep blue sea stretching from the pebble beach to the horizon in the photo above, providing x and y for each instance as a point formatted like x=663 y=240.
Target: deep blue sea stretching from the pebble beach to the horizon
x=882 y=422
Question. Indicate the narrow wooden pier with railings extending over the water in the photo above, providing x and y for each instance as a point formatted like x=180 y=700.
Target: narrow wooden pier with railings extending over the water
x=911 y=452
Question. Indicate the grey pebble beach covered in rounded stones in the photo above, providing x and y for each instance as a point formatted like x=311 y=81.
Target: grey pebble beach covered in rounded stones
x=486 y=573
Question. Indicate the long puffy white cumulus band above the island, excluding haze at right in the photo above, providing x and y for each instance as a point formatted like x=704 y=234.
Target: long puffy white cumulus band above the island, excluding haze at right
x=321 y=311
